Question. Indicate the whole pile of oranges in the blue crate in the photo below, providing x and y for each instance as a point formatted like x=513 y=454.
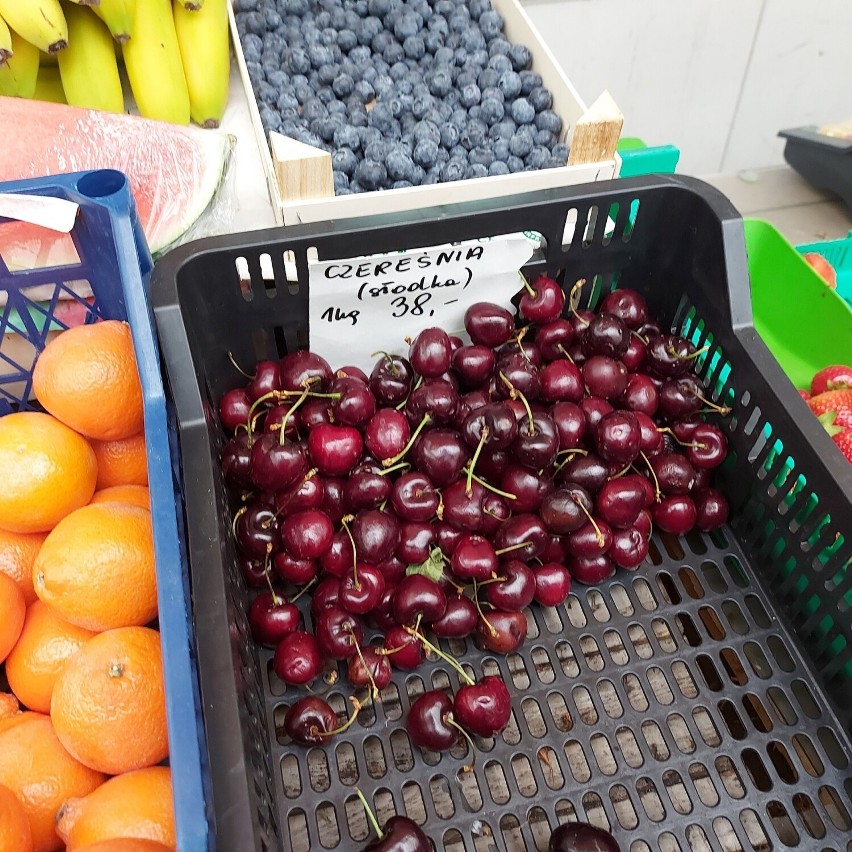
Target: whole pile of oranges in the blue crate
x=83 y=730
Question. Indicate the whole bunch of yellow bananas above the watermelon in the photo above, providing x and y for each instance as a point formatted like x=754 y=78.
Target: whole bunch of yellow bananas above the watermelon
x=175 y=54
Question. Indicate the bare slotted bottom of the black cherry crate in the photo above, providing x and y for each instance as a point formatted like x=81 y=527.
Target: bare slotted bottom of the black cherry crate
x=669 y=706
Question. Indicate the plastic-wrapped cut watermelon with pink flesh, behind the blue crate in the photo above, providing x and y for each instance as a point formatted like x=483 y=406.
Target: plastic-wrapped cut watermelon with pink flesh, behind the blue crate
x=174 y=171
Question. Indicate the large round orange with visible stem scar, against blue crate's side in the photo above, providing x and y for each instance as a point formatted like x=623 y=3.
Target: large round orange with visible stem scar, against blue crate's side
x=109 y=702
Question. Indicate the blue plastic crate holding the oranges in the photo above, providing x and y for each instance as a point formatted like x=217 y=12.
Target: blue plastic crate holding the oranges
x=115 y=261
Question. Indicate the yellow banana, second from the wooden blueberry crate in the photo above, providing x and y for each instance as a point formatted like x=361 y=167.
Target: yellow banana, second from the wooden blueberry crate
x=152 y=60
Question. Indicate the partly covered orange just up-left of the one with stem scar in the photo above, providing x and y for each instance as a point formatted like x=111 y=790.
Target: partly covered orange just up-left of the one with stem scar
x=46 y=643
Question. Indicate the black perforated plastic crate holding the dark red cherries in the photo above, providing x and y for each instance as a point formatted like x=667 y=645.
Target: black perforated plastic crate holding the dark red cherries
x=700 y=703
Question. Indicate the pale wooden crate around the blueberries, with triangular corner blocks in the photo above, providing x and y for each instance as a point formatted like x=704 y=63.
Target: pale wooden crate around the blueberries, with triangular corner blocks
x=299 y=176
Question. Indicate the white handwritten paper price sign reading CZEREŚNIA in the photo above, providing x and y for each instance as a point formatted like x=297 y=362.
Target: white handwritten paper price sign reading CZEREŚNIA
x=368 y=304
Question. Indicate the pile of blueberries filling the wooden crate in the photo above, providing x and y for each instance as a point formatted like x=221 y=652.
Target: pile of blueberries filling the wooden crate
x=401 y=92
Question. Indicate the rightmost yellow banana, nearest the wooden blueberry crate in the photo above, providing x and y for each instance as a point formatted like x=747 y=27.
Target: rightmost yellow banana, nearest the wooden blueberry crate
x=203 y=40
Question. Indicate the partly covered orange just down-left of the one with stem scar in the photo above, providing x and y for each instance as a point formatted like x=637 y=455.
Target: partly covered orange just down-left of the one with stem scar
x=40 y=772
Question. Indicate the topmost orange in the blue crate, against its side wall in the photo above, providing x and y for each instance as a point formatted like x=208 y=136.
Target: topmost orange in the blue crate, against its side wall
x=87 y=378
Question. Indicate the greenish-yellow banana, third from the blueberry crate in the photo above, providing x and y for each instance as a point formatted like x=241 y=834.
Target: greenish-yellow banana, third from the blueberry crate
x=88 y=66
